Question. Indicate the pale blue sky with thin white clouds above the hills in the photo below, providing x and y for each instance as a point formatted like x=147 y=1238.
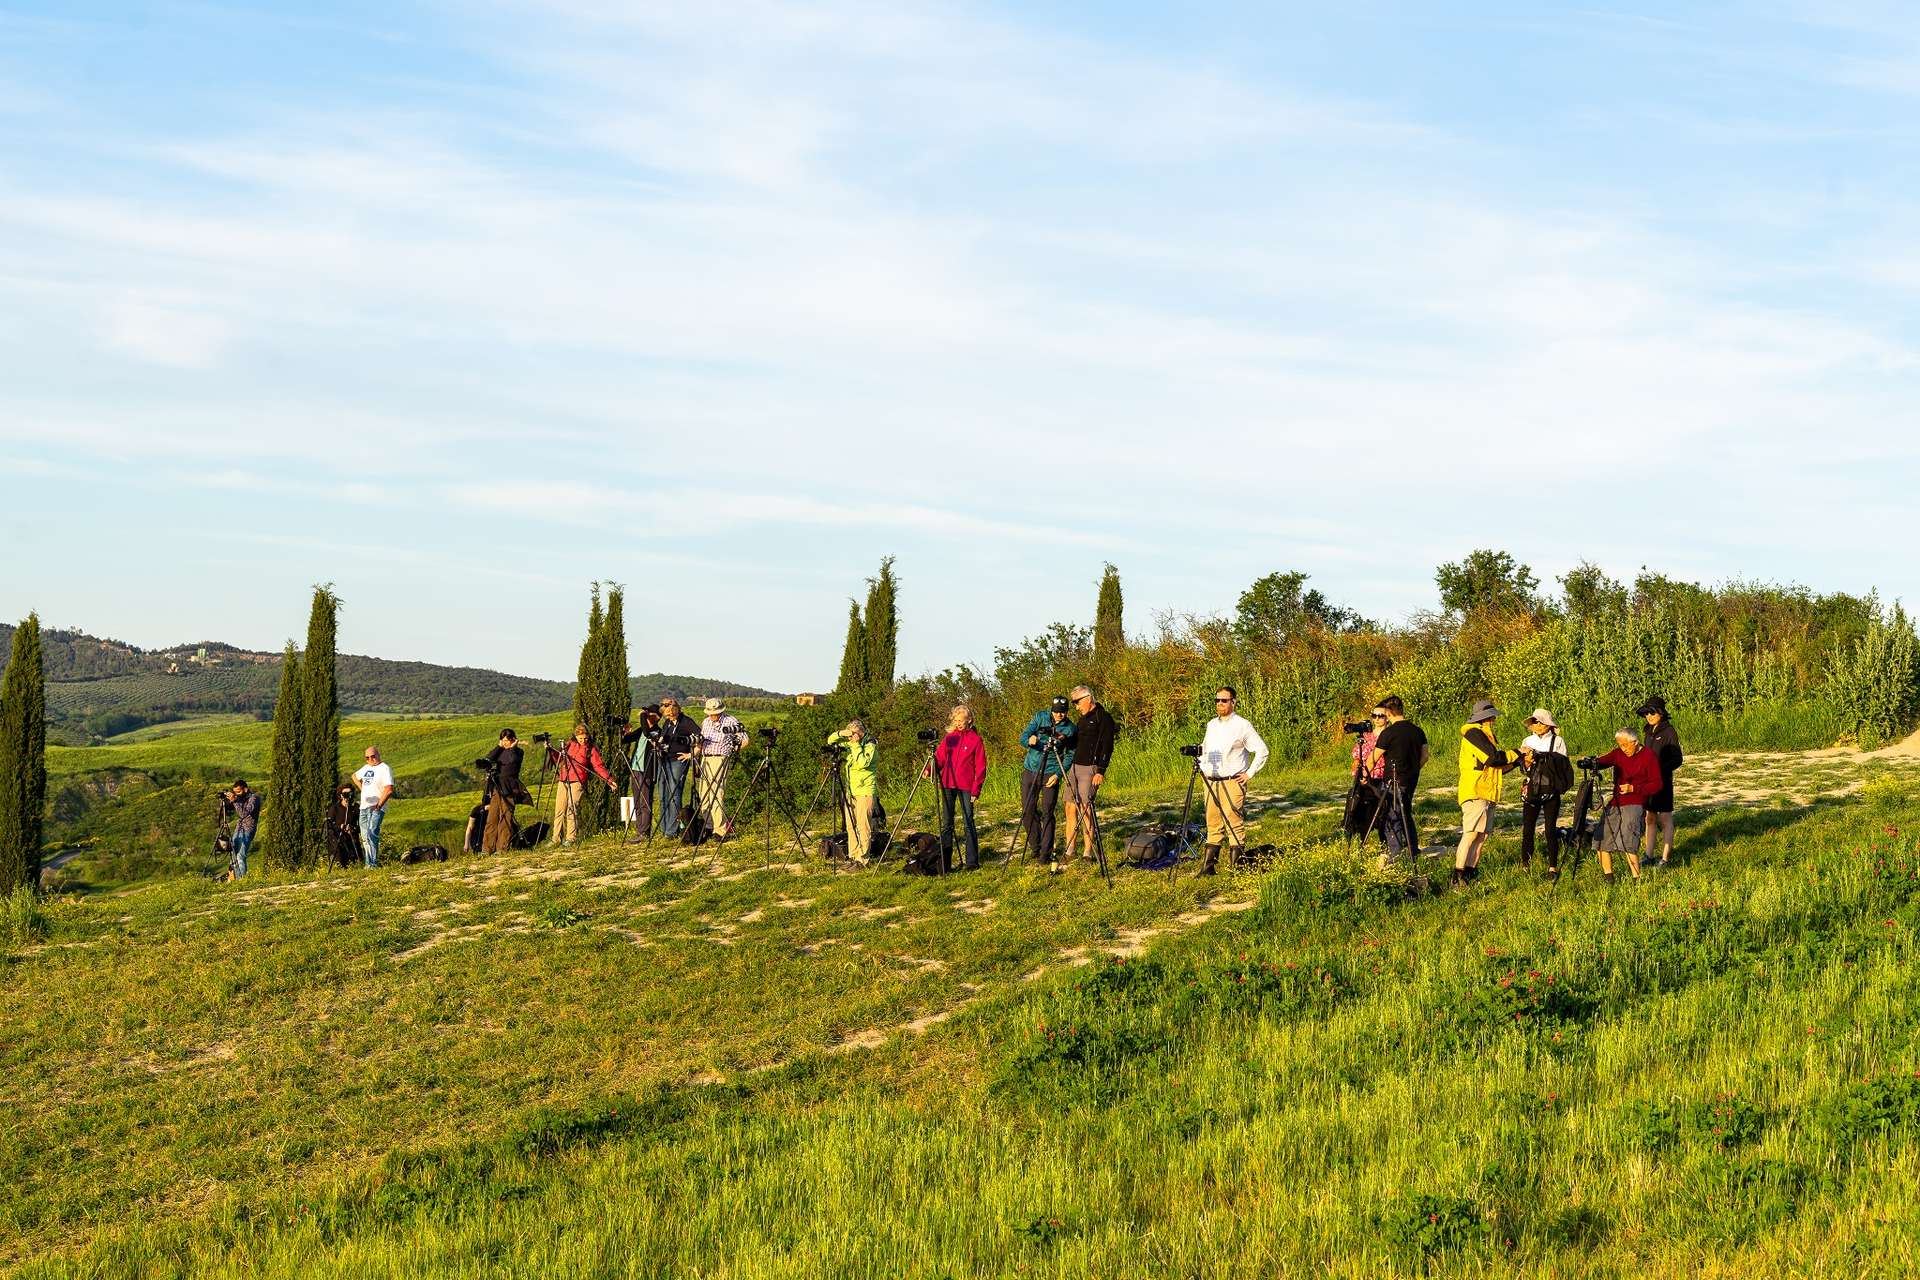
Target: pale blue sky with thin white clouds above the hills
x=468 y=304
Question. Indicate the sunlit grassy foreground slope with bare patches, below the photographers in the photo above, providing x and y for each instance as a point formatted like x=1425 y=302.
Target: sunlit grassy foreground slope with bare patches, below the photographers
x=606 y=1064
